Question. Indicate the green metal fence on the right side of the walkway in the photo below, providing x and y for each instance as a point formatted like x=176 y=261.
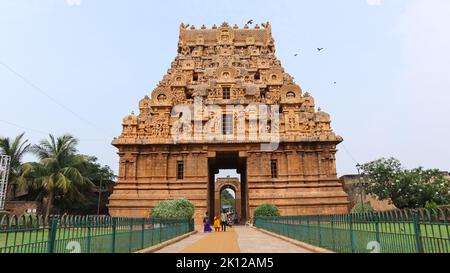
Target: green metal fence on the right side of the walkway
x=406 y=231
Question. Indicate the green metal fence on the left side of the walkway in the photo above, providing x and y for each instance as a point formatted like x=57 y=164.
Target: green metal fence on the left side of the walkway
x=86 y=234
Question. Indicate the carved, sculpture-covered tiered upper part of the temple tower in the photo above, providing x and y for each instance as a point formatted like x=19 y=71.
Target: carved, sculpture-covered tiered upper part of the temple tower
x=239 y=62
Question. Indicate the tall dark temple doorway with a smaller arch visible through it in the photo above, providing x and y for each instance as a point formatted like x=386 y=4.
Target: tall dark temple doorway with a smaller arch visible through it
x=228 y=161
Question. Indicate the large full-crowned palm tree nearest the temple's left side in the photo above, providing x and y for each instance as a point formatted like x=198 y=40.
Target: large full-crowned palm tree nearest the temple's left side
x=58 y=171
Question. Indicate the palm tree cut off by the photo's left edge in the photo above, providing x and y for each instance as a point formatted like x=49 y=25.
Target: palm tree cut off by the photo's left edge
x=15 y=149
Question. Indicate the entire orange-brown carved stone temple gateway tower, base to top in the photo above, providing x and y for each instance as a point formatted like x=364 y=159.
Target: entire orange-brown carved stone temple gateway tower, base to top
x=227 y=103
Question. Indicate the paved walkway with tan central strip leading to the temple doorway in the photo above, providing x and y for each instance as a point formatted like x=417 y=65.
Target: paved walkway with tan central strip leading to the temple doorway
x=239 y=239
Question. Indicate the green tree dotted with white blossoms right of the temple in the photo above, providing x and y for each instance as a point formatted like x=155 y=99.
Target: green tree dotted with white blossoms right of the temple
x=387 y=179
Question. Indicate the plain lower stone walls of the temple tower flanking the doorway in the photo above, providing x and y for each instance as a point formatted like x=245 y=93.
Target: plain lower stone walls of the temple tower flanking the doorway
x=306 y=182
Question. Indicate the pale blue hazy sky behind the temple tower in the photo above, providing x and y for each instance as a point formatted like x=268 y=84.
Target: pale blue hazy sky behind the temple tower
x=80 y=66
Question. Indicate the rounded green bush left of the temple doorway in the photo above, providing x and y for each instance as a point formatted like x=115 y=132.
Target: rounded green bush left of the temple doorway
x=171 y=209
